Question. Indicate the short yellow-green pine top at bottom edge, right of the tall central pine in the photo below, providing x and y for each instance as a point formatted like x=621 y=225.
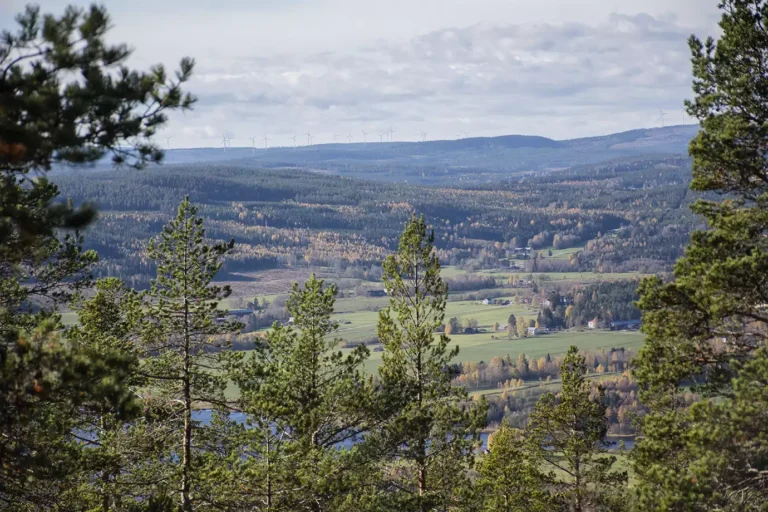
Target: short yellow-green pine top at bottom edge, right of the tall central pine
x=510 y=476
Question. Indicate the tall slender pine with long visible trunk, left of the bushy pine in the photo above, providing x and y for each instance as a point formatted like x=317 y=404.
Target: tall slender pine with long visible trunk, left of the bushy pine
x=181 y=338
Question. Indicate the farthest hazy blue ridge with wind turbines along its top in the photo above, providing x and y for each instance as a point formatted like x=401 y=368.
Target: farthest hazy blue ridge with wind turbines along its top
x=447 y=162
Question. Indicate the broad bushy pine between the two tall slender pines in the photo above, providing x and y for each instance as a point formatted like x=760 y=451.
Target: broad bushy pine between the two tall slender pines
x=305 y=400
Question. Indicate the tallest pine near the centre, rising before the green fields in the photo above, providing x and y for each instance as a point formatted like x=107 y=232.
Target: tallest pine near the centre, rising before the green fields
x=432 y=433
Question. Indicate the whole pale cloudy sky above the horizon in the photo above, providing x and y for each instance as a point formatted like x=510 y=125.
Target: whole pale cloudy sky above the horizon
x=557 y=68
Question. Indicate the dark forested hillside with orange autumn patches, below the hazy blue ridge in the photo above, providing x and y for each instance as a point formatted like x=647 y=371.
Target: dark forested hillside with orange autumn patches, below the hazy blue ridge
x=625 y=215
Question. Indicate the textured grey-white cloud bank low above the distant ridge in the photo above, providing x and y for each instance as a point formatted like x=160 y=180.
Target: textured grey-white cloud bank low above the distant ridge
x=557 y=79
